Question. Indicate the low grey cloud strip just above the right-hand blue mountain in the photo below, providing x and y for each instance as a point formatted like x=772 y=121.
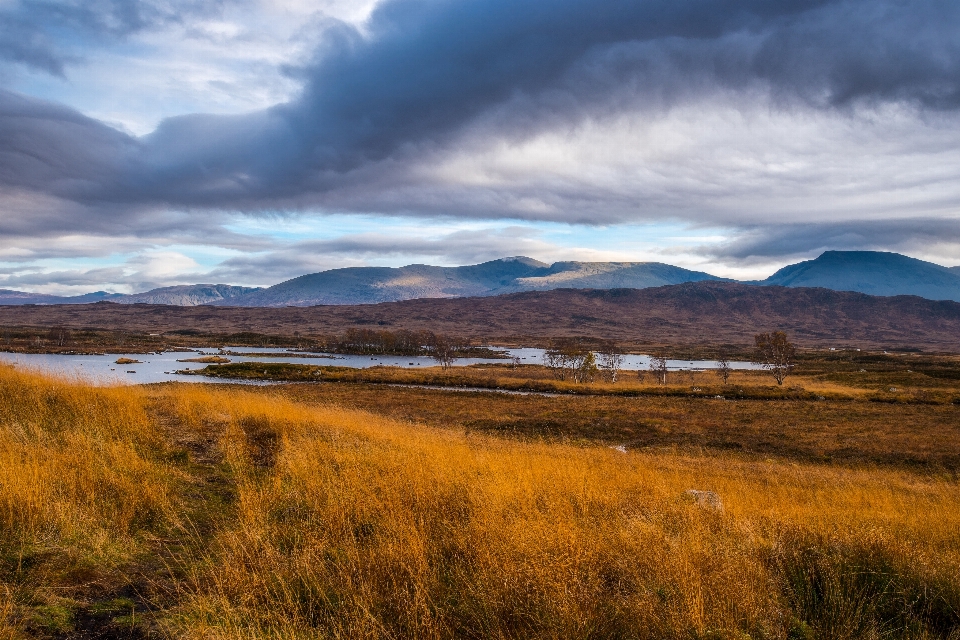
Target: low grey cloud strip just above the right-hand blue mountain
x=910 y=236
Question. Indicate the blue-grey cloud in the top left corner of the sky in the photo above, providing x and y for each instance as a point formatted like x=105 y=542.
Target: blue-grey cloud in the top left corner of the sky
x=48 y=35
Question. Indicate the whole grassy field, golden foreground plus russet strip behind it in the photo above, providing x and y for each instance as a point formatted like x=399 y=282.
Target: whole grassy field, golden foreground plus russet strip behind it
x=358 y=510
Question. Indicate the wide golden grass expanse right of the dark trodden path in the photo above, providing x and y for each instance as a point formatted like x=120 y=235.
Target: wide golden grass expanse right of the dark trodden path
x=349 y=525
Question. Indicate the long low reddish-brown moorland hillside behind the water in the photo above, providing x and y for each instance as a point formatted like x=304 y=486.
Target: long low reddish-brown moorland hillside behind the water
x=690 y=313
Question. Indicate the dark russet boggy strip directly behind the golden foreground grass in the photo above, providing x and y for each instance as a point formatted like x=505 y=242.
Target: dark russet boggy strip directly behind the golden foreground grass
x=911 y=435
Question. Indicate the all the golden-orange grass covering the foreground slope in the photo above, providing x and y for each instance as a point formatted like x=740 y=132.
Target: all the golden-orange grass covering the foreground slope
x=342 y=523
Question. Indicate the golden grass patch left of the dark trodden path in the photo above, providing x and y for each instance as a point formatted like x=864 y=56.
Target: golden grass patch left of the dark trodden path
x=82 y=480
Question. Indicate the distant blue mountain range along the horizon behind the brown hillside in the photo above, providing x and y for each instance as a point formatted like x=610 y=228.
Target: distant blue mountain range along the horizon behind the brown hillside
x=871 y=272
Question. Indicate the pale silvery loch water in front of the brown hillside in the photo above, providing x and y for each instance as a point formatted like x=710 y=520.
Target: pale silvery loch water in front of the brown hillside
x=161 y=367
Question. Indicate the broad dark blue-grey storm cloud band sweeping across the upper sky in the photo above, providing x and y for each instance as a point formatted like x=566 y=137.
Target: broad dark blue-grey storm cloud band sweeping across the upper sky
x=376 y=103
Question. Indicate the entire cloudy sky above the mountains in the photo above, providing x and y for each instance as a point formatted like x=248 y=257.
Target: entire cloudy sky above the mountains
x=147 y=143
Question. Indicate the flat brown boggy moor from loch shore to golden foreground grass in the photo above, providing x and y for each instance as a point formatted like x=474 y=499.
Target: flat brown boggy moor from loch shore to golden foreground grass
x=891 y=410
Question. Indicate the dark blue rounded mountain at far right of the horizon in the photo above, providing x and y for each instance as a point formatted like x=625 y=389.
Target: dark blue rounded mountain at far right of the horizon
x=875 y=272
